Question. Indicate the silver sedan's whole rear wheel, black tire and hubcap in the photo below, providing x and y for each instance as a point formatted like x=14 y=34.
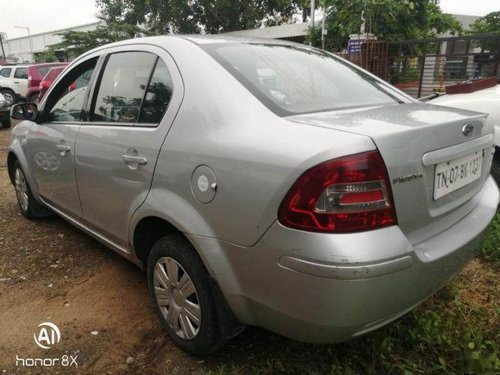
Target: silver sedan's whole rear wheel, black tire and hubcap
x=177 y=279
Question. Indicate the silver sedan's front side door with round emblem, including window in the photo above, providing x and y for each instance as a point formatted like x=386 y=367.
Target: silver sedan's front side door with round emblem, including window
x=52 y=143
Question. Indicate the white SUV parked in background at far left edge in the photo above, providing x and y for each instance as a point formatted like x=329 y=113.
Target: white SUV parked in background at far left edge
x=13 y=82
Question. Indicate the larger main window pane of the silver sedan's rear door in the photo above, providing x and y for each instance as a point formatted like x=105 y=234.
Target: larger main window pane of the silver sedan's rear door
x=123 y=86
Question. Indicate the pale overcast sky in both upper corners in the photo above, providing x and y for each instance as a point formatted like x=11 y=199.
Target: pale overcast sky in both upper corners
x=49 y=15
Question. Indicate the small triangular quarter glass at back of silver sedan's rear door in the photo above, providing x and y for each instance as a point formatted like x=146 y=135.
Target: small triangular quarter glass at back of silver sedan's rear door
x=158 y=95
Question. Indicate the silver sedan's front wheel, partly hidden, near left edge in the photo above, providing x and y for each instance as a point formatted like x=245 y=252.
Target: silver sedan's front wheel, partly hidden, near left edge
x=28 y=205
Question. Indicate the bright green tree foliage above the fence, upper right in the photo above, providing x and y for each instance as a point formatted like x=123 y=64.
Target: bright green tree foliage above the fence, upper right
x=387 y=19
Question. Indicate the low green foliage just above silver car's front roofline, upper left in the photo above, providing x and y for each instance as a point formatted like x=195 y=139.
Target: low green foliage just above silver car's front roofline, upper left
x=77 y=42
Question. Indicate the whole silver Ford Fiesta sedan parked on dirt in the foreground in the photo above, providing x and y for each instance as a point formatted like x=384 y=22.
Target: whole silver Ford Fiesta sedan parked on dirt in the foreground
x=259 y=182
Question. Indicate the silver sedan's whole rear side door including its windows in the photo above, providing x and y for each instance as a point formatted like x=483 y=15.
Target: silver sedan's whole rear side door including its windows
x=133 y=107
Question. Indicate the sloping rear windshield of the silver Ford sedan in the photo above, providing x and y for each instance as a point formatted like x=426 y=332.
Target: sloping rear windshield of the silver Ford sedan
x=292 y=80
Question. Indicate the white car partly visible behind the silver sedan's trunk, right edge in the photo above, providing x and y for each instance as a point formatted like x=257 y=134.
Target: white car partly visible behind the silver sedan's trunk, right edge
x=487 y=100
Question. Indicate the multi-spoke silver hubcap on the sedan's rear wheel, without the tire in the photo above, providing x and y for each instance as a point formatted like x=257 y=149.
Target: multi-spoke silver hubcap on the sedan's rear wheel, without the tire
x=177 y=298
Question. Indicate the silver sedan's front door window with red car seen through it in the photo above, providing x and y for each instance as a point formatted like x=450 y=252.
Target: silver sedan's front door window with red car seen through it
x=69 y=104
